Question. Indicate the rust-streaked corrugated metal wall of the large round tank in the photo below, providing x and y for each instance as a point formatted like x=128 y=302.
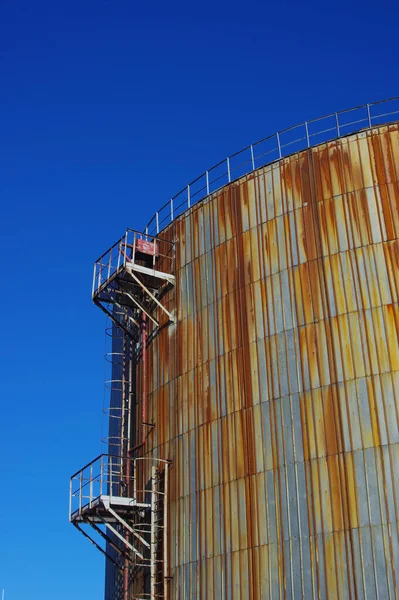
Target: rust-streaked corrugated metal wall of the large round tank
x=276 y=392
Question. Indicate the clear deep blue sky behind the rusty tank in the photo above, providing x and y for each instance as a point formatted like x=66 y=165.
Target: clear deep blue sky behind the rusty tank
x=106 y=111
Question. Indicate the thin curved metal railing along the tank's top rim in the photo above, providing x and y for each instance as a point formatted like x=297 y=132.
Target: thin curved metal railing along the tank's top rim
x=272 y=148
